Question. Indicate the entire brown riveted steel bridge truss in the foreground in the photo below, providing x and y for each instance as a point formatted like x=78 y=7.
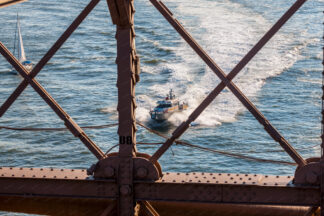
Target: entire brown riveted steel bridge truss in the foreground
x=128 y=182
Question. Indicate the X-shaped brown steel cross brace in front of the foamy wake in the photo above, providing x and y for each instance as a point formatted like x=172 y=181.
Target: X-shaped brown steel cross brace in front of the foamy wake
x=226 y=81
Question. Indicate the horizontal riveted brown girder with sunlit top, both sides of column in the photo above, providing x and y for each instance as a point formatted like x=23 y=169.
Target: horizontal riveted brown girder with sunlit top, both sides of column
x=215 y=188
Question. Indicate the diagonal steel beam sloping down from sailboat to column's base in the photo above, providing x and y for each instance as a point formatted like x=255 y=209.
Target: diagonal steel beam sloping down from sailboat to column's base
x=68 y=121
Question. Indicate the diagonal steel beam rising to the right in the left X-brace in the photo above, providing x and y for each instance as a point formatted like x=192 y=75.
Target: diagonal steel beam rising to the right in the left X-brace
x=51 y=52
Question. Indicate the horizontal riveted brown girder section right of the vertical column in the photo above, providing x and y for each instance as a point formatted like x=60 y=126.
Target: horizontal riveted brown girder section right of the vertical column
x=227 y=188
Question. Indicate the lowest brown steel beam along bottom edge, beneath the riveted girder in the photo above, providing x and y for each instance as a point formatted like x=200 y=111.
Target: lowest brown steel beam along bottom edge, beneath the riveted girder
x=94 y=207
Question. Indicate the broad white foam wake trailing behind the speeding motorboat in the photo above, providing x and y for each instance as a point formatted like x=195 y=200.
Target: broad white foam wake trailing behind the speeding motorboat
x=227 y=31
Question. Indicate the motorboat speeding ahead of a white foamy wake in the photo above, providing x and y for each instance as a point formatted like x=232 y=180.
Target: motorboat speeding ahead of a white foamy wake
x=165 y=108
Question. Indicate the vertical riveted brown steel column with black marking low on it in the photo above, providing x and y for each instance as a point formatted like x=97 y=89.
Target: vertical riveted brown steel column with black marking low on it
x=126 y=57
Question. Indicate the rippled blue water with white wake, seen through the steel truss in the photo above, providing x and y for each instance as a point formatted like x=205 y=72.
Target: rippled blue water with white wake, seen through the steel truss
x=283 y=81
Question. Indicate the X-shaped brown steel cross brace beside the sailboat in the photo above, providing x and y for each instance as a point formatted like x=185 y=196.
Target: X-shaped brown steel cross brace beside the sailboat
x=29 y=79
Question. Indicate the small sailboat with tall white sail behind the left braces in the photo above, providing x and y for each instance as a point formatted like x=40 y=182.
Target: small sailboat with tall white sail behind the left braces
x=21 y=56
